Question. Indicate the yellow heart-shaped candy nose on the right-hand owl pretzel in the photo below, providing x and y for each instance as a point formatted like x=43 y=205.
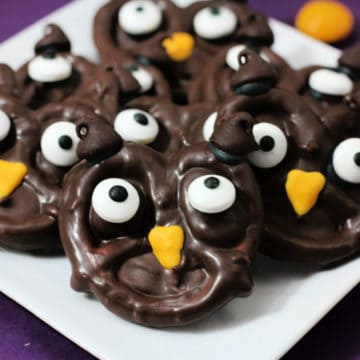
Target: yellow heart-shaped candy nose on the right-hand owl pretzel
x=303 y=189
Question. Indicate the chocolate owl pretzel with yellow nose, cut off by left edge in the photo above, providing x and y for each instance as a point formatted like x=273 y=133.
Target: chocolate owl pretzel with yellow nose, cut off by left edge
x=40 y=153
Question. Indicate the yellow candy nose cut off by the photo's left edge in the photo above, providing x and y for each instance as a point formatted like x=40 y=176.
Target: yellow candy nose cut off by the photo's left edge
x=11 y=176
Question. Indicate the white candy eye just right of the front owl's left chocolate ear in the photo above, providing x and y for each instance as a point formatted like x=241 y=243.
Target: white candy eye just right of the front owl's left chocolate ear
x=137 y=126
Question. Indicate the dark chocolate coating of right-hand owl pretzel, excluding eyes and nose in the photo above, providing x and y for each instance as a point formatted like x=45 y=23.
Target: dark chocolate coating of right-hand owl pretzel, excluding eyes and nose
x=329 y=231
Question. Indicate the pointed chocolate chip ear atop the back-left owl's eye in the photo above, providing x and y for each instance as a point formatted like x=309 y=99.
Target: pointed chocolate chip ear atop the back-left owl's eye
x=55 y=39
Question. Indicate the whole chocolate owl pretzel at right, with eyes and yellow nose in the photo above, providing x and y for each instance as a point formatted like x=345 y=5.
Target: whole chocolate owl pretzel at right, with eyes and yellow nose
x=307 y=176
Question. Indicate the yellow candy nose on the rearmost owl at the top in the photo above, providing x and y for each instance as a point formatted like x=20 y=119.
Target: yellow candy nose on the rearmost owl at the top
x=179 y=46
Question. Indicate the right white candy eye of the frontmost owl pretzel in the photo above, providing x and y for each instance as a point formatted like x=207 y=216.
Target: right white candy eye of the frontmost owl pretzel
x=211 y=194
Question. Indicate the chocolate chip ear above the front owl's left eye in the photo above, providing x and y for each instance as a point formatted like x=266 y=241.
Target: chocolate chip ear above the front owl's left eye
x=98 y=140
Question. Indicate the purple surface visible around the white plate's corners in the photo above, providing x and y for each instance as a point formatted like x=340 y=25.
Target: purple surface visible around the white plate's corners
x=23 y=336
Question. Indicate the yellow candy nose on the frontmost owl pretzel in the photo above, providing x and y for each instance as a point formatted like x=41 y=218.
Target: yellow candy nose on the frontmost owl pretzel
x=167 y=243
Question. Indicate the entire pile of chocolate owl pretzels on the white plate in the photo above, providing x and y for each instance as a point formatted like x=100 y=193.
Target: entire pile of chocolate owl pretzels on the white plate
x=164 y=169
